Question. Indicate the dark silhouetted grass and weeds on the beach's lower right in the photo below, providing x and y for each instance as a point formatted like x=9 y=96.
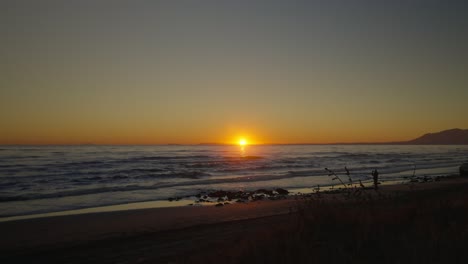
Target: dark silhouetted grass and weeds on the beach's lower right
x=370 y=227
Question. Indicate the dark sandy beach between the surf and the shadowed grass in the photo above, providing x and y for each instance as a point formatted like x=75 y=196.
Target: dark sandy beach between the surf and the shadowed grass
x=199 y=234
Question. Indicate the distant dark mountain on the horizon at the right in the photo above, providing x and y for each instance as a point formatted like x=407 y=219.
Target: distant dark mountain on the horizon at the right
x=447 y=137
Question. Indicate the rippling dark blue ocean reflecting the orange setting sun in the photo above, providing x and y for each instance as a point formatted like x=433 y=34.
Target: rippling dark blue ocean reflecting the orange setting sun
x=45 y=179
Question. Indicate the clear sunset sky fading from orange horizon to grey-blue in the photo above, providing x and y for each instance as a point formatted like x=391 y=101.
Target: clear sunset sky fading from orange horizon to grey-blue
x=188 y=72
